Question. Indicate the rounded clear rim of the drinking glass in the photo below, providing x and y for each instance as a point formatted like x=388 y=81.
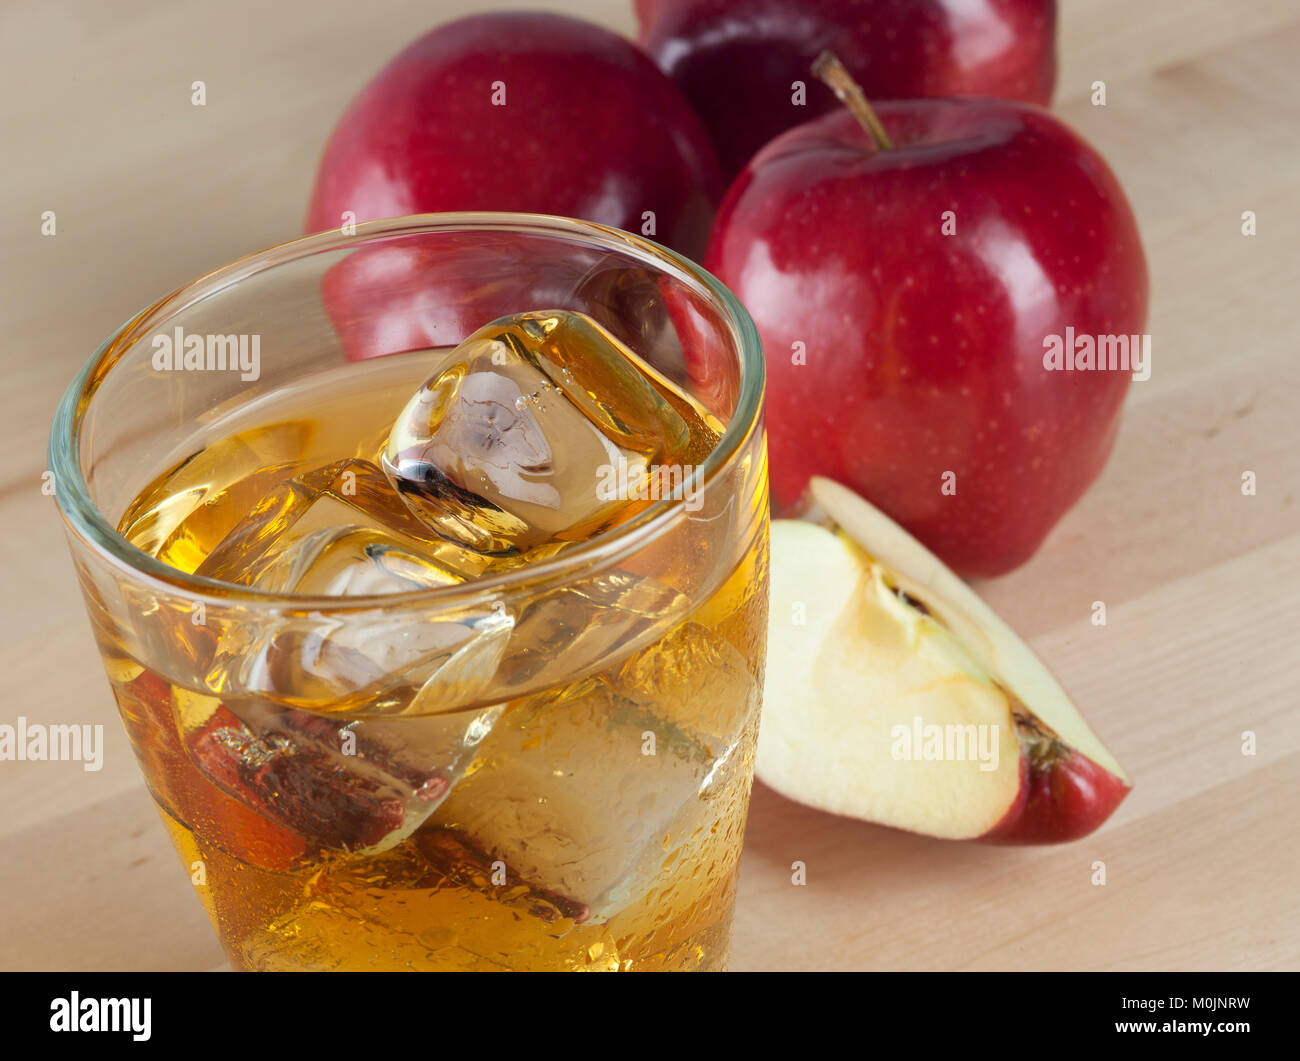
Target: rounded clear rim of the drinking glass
x=86 y=521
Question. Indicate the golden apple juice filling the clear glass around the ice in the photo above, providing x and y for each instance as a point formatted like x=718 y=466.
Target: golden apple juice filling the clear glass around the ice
x=558 y=782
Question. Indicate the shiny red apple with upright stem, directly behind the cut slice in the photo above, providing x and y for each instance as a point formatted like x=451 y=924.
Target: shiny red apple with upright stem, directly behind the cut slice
x=905 y=298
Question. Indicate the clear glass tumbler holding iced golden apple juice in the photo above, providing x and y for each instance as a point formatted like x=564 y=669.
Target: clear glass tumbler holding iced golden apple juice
x=545 y=768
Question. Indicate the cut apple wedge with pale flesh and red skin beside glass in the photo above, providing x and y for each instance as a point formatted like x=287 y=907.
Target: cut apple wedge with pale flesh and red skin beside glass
x=898 y=696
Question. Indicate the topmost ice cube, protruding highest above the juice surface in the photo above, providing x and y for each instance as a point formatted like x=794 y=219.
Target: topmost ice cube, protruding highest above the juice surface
x=531 y=432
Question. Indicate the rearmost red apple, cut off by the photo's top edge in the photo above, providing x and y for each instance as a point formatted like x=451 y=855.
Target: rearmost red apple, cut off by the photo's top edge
x=738 y=60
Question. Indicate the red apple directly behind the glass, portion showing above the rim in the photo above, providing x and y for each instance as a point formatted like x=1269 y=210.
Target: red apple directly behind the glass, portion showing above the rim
x=523 y=112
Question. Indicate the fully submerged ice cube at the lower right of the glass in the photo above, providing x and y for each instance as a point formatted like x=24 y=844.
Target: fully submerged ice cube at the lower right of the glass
x=606 y=791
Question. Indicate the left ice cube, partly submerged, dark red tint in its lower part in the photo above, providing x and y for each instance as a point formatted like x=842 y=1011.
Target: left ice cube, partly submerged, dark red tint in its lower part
x=344 y=783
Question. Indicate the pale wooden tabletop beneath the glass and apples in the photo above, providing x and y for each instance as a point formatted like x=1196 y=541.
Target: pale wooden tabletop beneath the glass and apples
x=1203 y=123
